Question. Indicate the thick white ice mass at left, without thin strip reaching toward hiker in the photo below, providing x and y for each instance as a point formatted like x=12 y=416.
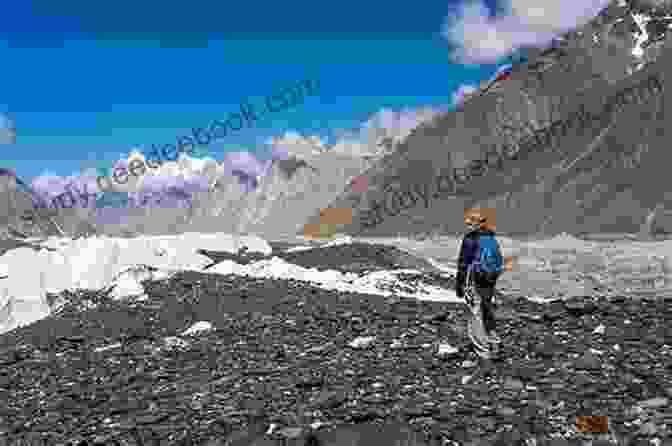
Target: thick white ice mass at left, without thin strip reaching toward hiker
x=100 y=263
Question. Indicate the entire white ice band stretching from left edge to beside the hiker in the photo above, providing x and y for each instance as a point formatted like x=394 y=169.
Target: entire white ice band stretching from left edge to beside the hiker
x=120 y=265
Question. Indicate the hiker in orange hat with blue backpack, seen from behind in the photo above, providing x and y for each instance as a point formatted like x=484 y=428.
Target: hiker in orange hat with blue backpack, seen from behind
x=480 y=264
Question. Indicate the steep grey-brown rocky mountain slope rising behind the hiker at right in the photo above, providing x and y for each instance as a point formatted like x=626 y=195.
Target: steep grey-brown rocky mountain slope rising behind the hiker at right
x=574 y=141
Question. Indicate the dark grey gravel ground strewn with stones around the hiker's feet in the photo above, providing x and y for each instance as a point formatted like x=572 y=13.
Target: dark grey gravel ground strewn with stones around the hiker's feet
x=286 y=355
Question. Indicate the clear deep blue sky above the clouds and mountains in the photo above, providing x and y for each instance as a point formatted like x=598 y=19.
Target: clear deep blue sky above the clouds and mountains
x=86 y=81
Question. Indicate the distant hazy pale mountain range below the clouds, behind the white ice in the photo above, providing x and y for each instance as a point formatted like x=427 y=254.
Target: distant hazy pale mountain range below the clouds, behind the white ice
x=282 y=200
